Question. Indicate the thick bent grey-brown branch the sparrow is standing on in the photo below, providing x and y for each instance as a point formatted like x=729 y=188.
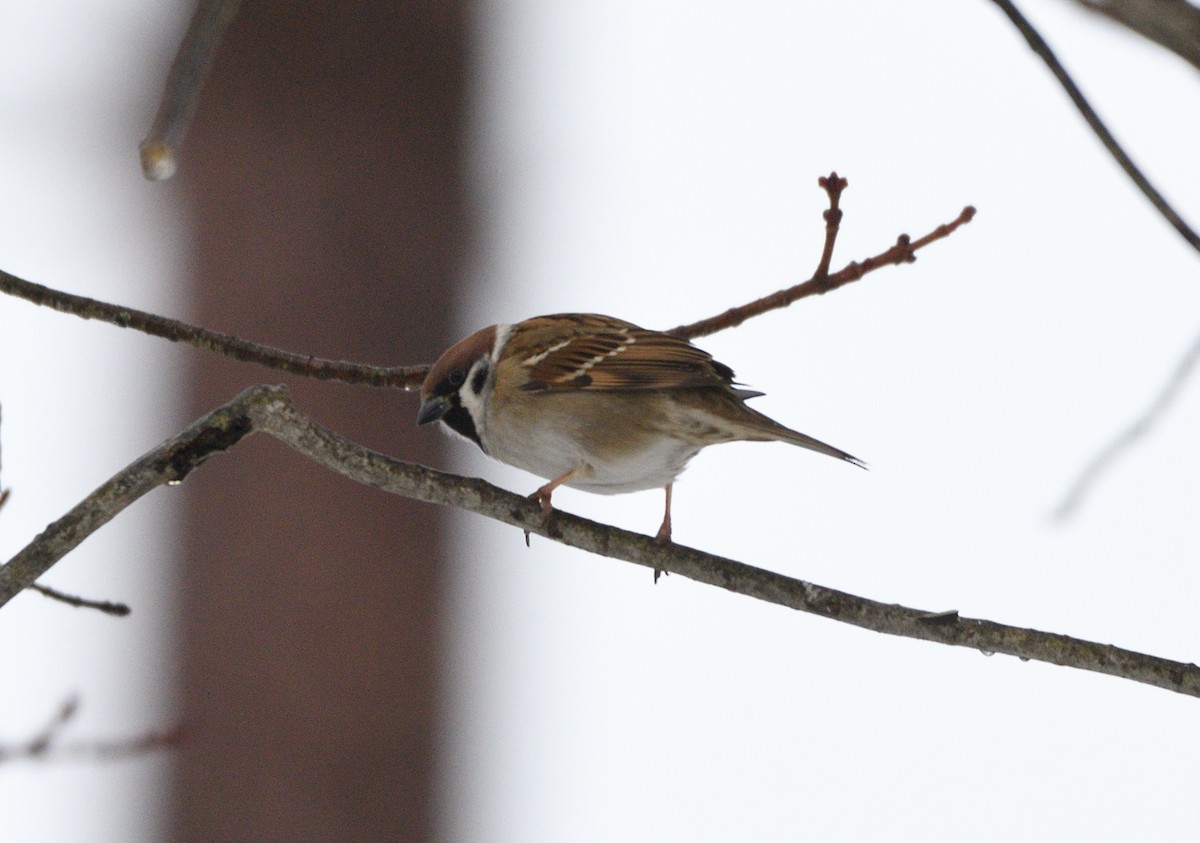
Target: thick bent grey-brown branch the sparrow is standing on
x=269 y=410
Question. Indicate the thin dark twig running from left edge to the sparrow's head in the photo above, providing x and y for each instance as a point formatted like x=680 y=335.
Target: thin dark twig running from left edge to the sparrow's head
x=403 y=378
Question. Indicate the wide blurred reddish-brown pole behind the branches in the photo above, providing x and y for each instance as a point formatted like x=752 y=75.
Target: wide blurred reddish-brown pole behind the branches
x=323 y=176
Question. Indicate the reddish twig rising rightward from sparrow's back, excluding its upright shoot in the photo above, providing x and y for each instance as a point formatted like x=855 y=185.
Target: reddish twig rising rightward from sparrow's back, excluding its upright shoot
x=902 y=253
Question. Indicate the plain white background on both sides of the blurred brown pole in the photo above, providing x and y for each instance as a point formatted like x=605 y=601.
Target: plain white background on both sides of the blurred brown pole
x=658 y=162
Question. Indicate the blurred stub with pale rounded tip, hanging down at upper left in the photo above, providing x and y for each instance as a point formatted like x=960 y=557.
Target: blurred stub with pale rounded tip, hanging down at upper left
x=160 y=151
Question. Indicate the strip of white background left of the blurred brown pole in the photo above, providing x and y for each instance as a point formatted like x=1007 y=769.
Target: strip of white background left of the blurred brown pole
x=79 y=87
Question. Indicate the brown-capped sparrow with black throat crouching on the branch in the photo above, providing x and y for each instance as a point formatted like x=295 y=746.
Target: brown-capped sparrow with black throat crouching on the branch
x=595 y=403
